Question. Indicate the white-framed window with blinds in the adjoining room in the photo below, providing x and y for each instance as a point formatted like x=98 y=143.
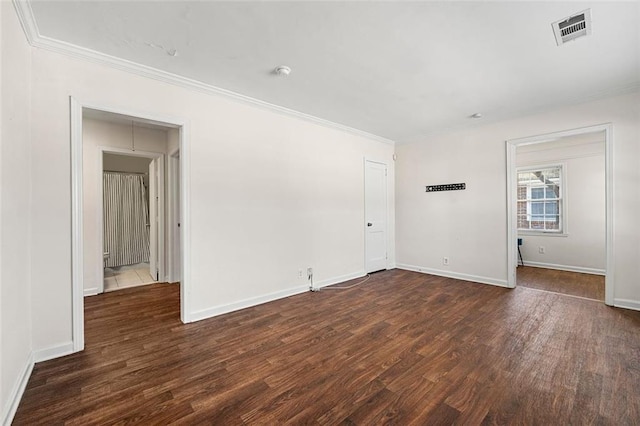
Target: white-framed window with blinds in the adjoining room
x=540 y=199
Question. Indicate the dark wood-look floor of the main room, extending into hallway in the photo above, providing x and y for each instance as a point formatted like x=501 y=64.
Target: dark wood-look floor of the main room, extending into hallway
x=403 y=348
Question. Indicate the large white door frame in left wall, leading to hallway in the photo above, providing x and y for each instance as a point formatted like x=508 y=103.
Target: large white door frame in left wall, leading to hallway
x=77 y=257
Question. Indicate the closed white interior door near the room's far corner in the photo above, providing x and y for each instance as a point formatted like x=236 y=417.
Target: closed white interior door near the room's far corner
x=375 y=199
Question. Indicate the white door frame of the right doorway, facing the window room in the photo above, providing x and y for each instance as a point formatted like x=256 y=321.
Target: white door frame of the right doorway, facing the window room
x=512 y=232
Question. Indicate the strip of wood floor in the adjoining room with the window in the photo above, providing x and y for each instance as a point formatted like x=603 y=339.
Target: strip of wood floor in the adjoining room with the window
x=565 y=282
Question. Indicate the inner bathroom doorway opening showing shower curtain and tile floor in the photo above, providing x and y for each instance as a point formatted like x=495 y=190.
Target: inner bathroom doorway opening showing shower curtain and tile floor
x=133 y=206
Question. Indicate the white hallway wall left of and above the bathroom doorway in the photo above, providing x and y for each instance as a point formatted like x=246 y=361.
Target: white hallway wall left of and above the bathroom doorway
x=96 y=134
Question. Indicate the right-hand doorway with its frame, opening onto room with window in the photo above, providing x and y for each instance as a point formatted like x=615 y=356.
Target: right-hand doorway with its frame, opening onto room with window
x=559 y=212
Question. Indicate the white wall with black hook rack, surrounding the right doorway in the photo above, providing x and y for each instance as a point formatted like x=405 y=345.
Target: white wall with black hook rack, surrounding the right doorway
x=470 y=226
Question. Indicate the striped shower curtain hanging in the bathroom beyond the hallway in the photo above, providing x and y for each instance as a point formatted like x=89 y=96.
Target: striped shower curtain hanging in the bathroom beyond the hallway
x=126 y=214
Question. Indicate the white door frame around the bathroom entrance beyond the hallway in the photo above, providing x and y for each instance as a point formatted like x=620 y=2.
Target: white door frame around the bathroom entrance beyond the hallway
x=162 y=267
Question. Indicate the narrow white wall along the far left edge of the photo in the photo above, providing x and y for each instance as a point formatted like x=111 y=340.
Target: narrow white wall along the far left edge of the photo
x=15 y=182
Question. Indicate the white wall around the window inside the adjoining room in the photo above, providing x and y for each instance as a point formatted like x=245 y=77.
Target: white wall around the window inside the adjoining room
x=581 y=247
